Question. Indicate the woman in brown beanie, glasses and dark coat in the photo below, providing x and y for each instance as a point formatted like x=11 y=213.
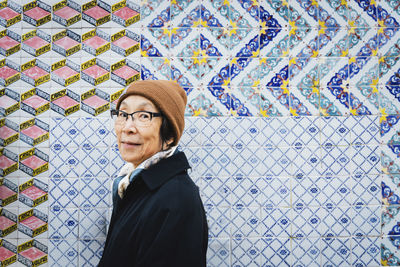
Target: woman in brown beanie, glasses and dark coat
x=158 y=218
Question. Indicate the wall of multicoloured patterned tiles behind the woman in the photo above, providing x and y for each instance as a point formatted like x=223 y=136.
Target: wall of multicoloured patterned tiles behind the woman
x=292 y=124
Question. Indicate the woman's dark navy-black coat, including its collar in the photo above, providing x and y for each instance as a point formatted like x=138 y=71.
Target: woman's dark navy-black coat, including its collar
x=160 y=221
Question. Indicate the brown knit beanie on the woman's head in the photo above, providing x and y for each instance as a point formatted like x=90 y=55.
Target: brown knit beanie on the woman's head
x=168 y=96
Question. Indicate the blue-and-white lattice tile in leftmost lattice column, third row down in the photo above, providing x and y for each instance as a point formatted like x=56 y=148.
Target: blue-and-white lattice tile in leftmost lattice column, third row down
x=64 y=193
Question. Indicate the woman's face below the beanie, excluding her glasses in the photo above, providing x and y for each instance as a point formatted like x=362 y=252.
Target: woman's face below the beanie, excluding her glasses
x=136 y=144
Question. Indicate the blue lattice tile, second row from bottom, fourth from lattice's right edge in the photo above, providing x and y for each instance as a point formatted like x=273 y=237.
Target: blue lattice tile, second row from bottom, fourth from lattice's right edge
x=275 y=222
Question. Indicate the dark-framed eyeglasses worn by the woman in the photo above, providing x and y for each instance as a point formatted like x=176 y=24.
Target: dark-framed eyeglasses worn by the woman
x=141 y=118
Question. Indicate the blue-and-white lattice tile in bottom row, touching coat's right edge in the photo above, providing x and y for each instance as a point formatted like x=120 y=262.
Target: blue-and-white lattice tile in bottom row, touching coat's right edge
x=219 y=252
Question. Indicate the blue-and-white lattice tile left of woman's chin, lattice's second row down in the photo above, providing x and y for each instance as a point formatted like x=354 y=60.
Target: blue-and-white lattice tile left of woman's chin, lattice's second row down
x=94 y=161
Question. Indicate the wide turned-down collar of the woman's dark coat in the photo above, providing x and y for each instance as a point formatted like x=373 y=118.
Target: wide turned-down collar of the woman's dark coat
x=161 y=172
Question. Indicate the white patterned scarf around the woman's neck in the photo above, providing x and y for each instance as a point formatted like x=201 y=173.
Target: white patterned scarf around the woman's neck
x=128 y=168
